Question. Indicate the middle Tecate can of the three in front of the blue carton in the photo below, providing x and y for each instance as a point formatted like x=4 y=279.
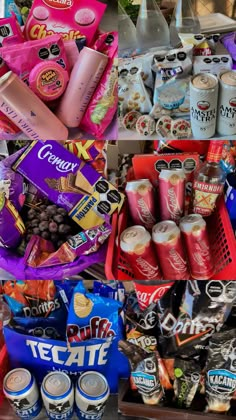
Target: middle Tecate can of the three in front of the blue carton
x=58 y=395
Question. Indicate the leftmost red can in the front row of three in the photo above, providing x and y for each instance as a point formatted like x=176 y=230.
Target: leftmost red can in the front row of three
x=137 y=245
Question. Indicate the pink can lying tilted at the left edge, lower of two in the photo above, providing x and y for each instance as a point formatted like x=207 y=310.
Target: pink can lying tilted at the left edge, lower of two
x=27 y=111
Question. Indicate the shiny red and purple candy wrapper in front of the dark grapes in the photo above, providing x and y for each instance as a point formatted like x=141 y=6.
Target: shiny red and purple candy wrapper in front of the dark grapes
x=41 y=253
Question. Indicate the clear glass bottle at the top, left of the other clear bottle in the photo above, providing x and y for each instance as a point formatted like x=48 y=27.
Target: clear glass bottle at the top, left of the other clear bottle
x=152 y=29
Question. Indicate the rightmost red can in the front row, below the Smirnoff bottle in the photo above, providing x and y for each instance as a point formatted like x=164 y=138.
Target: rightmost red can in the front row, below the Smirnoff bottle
x=193 y=228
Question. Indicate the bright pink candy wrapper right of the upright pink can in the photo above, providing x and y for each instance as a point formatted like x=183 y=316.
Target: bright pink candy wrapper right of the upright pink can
x=104 y=102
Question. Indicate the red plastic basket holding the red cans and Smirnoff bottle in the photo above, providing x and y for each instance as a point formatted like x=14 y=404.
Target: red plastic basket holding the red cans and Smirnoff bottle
x=222 y=240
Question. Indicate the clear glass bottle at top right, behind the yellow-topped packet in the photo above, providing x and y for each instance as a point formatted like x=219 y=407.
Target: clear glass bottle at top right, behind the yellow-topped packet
x=184 y=21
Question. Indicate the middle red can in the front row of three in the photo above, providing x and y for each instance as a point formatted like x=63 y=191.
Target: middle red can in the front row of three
x=166 y=237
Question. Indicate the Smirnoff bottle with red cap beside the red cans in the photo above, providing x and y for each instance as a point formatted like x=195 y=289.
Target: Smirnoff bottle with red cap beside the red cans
x=209 y=181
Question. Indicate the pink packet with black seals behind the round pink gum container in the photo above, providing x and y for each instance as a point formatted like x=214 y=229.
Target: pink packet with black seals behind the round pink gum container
x=22 y=60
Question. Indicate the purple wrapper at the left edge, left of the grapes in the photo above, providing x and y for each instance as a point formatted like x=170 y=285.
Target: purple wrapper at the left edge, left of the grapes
x=11 y=225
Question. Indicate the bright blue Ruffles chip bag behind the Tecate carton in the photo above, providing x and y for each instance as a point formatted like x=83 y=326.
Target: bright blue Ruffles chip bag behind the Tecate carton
x=91 y=317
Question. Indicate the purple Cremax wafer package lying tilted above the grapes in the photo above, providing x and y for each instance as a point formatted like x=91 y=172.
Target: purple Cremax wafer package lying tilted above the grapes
x=69 y=182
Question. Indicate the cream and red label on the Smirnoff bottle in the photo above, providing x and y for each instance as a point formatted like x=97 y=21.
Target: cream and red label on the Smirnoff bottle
x=205 y=197
